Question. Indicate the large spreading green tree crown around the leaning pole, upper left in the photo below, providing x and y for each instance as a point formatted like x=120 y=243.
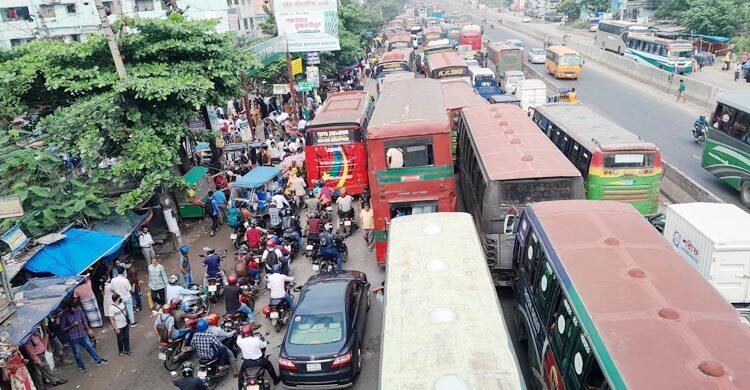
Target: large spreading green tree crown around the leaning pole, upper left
x=175 y=67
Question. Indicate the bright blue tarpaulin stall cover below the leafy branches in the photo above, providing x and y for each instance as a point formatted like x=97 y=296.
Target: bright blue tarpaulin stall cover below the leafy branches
x=76 y=252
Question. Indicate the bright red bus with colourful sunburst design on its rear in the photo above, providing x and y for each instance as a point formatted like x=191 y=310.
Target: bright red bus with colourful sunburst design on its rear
x=335 y=148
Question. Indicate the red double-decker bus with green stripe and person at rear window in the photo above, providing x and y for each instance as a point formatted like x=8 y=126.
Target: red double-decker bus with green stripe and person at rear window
x=409 y=155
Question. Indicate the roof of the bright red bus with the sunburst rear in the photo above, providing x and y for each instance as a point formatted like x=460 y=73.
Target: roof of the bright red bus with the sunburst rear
x=342 y=108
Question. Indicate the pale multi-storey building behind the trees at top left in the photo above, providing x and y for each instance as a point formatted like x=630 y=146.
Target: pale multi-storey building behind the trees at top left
x=22 y=21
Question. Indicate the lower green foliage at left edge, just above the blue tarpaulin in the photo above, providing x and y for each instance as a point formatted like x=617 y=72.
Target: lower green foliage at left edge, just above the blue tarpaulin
x=51 y=196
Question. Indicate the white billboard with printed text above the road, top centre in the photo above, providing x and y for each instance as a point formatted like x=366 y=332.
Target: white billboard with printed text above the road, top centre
x=310 y=25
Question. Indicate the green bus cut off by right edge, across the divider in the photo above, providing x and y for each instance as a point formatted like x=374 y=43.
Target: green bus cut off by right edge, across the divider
x=727 y=151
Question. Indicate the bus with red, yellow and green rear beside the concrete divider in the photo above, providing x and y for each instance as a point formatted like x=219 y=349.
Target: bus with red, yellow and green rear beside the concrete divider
x=615 y=163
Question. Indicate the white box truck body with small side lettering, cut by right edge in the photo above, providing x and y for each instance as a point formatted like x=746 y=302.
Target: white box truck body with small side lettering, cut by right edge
x=715 y=239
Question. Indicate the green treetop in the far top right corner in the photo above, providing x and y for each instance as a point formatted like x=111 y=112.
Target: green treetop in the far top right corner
x=711 y=17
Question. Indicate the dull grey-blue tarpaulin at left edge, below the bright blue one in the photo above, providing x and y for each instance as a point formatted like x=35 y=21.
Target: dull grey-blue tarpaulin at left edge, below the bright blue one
x=40 y=297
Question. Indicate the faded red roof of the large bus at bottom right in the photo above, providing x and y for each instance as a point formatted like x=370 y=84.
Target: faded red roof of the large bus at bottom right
x=654 y=317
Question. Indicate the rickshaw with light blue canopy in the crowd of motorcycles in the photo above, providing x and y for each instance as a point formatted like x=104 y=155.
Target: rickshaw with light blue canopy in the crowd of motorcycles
x=255 y=189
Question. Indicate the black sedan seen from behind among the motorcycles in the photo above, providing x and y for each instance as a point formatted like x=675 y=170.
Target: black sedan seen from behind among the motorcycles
x=322 y=347
